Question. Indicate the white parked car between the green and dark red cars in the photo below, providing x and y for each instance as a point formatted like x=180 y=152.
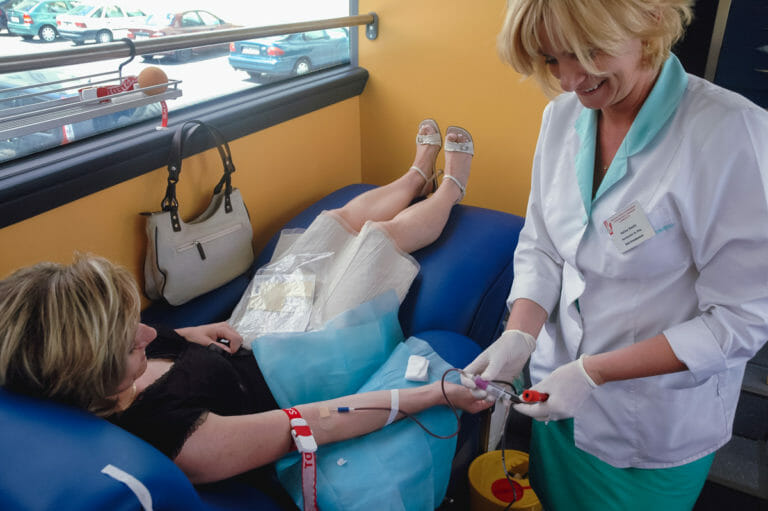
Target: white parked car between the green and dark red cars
x=98 y=22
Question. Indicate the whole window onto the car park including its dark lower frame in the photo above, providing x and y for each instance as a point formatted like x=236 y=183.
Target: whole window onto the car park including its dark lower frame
x=39 y=171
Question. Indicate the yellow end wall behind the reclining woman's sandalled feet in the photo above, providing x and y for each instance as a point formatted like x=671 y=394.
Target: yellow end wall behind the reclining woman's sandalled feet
x=437 y=58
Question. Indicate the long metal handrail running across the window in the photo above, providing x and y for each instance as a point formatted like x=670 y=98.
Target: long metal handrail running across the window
x=126 y=47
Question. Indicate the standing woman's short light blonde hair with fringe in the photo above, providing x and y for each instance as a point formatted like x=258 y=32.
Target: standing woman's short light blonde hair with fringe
x=583 y=26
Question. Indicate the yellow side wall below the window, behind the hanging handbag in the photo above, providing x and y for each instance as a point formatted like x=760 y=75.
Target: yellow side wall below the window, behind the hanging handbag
x=280 y=171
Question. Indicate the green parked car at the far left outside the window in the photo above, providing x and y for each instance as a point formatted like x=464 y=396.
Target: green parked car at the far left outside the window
x=33 y=18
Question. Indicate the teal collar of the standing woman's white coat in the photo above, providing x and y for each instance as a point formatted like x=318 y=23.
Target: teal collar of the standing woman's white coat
x=659 y=106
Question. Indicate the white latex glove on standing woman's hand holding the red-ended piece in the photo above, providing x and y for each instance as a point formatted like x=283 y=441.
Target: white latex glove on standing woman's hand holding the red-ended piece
x=568 y=387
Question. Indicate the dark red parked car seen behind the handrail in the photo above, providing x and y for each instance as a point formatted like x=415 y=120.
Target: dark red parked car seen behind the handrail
x=179 y=23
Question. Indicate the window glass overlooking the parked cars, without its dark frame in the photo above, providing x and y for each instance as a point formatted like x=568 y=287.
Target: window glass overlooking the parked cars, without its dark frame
x=205 y=72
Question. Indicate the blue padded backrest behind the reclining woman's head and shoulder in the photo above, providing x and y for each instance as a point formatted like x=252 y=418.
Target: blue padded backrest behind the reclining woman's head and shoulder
x=53 y=456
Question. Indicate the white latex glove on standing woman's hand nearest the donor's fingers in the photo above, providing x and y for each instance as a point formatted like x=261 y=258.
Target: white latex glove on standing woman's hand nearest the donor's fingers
x=503 y=360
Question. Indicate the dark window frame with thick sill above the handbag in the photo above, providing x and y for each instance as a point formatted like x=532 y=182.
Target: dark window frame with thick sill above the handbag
x=43 y=181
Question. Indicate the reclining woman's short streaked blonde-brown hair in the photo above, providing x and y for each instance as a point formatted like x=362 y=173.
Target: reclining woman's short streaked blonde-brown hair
x=66 y=331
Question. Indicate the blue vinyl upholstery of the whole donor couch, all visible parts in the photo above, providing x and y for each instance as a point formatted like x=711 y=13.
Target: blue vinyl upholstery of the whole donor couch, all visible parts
x=53 y=455
